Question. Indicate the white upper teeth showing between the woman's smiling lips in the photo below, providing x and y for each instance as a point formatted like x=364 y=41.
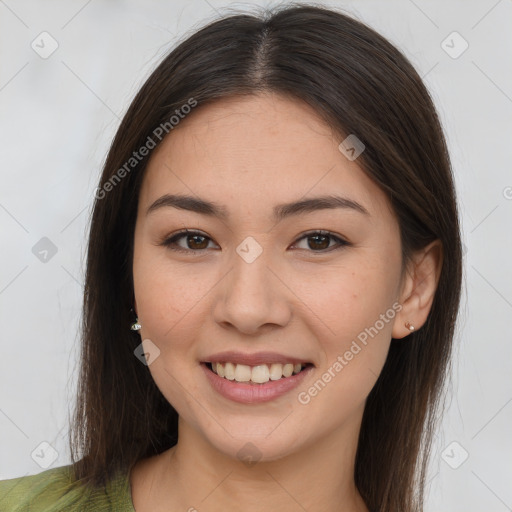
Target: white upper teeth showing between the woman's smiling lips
x=259 y=374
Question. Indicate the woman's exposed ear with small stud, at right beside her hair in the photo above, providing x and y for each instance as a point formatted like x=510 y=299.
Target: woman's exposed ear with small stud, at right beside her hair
x=418 y=288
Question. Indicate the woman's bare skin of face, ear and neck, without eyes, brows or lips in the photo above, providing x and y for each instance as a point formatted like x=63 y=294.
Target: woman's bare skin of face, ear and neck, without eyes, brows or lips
x=298 y=298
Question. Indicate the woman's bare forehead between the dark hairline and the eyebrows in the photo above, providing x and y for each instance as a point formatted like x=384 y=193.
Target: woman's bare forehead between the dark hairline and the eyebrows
x=252 y=152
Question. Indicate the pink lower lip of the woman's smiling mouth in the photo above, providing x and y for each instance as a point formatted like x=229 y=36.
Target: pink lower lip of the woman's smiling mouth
x=254 y=393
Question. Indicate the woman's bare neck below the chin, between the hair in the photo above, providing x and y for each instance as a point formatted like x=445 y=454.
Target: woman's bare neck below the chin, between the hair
x=319 y=477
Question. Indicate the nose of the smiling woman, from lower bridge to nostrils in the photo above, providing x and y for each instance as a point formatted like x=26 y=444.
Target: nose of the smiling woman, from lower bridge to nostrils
x=252 y=297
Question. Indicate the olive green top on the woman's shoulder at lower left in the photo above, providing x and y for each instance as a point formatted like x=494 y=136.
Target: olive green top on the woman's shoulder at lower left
x=55 y=490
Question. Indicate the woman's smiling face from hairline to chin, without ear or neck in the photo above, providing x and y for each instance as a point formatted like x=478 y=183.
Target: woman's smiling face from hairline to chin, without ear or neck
x=314 y=286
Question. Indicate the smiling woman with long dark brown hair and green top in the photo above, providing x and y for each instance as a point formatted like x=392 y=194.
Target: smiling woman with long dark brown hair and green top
x=273 y=279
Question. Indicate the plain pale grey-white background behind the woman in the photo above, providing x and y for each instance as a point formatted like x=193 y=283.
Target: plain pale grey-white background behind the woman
x=58 y=116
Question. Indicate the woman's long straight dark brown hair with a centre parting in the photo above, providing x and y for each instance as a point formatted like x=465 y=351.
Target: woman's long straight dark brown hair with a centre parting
x=359 y=83
